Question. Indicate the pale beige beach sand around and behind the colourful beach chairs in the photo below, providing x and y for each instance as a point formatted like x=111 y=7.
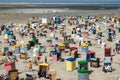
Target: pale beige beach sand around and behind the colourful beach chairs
x=16 y=16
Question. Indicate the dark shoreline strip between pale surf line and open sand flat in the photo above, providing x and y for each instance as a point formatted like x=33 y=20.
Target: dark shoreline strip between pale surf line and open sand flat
x=61 y=6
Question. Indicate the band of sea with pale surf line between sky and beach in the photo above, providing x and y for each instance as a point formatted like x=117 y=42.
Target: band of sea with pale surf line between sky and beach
x=82 y=6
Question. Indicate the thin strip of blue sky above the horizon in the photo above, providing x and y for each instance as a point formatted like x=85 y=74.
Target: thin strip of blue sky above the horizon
x=61 y=1
